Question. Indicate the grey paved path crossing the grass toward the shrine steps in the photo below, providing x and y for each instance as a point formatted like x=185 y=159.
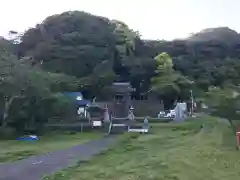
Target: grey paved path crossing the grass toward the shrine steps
x=35 y=167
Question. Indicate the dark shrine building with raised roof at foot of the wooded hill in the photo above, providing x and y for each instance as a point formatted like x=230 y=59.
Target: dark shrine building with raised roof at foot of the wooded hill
x=145 y=104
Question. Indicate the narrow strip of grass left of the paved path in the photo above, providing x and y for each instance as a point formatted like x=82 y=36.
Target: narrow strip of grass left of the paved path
x=11 y=150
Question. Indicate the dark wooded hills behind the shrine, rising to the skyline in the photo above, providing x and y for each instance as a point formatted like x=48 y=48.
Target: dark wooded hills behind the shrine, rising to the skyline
x=77 y=43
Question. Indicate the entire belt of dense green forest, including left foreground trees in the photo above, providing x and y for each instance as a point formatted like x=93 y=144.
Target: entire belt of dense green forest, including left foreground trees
x=77 y=51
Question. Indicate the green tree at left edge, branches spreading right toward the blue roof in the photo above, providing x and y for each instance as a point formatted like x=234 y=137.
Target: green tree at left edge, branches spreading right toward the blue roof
x=20 y=81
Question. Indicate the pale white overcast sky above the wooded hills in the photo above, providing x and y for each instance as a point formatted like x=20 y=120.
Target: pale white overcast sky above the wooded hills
x=154 y=19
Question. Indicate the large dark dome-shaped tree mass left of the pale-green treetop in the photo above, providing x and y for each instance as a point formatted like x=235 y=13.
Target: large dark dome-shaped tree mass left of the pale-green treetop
x=76 y=42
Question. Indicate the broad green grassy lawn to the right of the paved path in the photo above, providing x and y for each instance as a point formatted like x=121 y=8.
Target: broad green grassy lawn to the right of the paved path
x=171 y=152
